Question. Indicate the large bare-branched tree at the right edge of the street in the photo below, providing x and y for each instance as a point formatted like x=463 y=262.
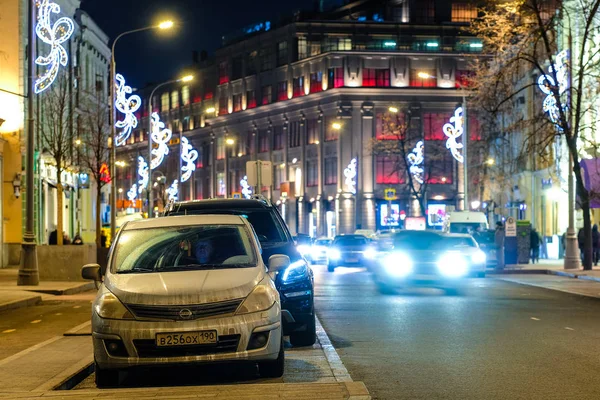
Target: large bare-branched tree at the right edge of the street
x=529 y=37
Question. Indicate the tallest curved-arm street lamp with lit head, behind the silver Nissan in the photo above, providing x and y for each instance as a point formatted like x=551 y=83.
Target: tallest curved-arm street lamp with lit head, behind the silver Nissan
x=112 y=118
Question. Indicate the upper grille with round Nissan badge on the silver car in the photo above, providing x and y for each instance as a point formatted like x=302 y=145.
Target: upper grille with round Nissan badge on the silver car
x=184 y=312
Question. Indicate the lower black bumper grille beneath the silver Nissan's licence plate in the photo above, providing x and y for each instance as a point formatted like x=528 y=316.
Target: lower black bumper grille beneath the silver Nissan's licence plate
x=146 y=348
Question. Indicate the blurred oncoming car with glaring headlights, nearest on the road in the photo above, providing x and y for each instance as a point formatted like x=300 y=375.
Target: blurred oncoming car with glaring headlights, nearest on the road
x=428 y=258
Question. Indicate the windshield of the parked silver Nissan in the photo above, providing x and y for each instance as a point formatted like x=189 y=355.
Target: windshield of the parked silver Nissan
x=169 y=249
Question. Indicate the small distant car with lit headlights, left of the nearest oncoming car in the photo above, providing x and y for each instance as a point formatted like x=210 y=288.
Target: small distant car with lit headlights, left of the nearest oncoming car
x=350 y=250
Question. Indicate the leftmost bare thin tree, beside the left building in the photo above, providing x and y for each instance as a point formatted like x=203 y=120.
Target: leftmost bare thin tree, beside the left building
x=56 y=136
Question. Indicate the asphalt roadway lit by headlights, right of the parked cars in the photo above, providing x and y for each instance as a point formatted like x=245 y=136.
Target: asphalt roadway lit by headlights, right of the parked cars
x=497 y=340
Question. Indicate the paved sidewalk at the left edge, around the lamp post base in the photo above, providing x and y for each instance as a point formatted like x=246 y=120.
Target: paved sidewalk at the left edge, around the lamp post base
x=13 y=296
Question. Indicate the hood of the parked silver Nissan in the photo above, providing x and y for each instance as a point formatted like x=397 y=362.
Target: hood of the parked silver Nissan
x=184 y=287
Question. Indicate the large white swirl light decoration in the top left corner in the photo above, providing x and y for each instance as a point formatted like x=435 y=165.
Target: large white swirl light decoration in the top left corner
x=54 y=35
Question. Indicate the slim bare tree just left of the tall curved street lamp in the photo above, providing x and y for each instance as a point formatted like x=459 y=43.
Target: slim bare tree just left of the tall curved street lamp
x=94 y=148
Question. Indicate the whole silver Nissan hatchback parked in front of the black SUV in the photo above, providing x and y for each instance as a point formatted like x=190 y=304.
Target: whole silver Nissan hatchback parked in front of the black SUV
x=185 y=290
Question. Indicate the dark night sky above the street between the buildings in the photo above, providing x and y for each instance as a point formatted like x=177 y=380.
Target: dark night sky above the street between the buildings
x=159 y=56
